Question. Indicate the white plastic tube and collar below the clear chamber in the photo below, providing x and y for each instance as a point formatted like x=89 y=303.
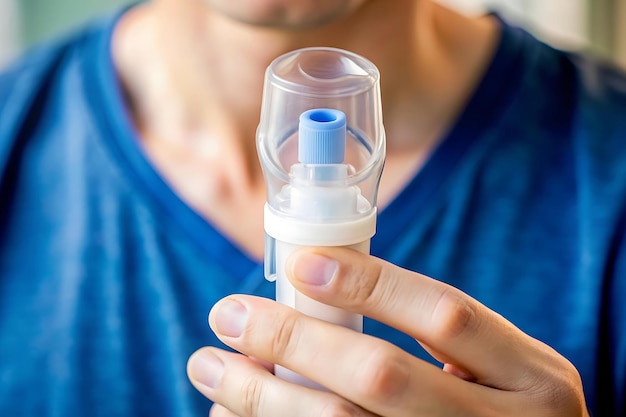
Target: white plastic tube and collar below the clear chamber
x=287 y=235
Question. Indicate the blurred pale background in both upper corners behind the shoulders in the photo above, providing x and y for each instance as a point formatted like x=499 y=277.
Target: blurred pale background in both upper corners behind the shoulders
x=595 y=25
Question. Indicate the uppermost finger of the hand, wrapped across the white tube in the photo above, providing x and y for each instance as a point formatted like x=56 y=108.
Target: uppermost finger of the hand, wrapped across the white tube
x=453 y=324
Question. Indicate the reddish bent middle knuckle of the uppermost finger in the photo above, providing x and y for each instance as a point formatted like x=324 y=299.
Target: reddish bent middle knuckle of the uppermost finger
x=453 y=316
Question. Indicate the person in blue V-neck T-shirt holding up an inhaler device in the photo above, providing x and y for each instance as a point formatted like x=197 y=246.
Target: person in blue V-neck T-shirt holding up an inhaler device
x=132 y=204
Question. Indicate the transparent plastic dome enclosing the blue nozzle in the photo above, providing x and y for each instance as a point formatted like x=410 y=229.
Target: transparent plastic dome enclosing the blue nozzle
x=321 y=81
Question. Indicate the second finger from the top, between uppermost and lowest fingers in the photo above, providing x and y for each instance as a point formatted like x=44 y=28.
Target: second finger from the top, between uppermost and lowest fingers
x=367 y=371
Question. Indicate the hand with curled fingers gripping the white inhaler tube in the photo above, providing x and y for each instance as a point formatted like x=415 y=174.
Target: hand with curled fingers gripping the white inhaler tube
x=491 y=367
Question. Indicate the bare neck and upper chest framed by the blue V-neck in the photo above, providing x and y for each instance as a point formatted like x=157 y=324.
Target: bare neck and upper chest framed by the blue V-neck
x=194 y=79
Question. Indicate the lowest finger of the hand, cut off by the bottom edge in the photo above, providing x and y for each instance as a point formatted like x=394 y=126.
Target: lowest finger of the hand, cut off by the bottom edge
x=241 y=387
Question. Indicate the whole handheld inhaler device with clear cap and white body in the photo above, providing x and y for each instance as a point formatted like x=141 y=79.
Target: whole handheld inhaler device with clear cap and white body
x=321 y=144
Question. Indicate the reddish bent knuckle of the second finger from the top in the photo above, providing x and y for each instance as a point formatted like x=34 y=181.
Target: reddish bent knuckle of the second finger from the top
x=385 y=376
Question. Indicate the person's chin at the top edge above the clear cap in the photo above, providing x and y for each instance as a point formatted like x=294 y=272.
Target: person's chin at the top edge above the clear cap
x=286 y=14
